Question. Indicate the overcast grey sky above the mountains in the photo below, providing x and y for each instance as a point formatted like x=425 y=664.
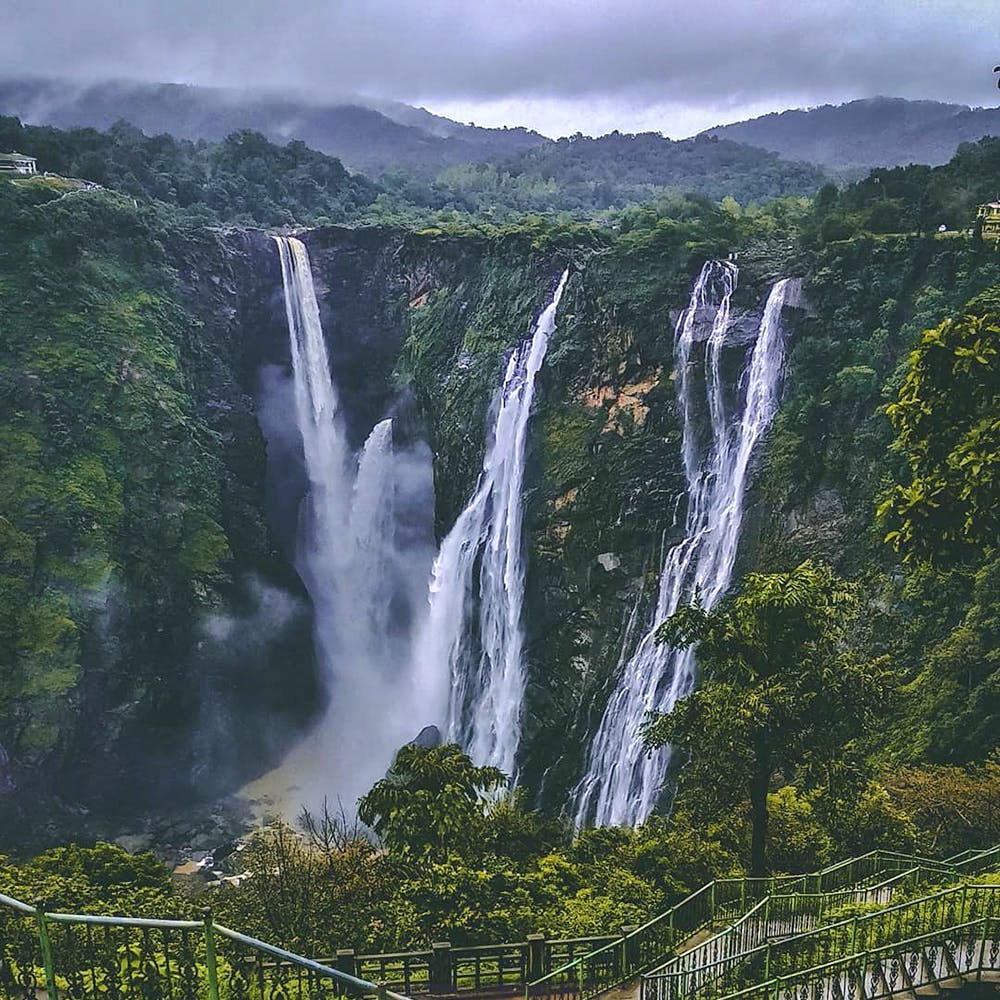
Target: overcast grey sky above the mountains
x=559 y=66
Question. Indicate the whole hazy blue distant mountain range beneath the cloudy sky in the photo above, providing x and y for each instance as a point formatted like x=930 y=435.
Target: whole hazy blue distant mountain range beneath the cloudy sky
x=749 y=160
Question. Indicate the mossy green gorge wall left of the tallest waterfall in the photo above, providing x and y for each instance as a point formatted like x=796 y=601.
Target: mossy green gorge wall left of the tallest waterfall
x=161 y=646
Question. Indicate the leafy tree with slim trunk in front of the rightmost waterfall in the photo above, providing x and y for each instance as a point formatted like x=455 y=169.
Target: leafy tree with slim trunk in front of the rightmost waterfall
x=780 y=689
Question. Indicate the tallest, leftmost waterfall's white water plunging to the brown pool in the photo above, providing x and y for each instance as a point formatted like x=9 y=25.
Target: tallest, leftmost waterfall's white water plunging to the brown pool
x=354 y=568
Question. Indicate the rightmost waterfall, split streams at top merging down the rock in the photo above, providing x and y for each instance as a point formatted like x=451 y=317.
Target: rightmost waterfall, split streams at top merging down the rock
x=622 y=782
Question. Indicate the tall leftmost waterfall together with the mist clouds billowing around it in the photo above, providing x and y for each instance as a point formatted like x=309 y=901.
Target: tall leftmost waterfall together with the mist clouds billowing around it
x=363 y=547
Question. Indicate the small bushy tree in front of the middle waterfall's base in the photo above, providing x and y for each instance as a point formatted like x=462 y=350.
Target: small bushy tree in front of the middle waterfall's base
x=431 y=800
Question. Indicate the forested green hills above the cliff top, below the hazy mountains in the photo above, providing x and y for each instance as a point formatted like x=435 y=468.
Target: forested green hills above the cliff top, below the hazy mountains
x=247 y=179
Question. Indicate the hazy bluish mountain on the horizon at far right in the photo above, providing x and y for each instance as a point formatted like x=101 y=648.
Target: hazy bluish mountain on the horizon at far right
x=877 y=132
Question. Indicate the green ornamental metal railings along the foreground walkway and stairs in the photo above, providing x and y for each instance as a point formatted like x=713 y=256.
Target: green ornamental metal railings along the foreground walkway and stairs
x=60 y=955
